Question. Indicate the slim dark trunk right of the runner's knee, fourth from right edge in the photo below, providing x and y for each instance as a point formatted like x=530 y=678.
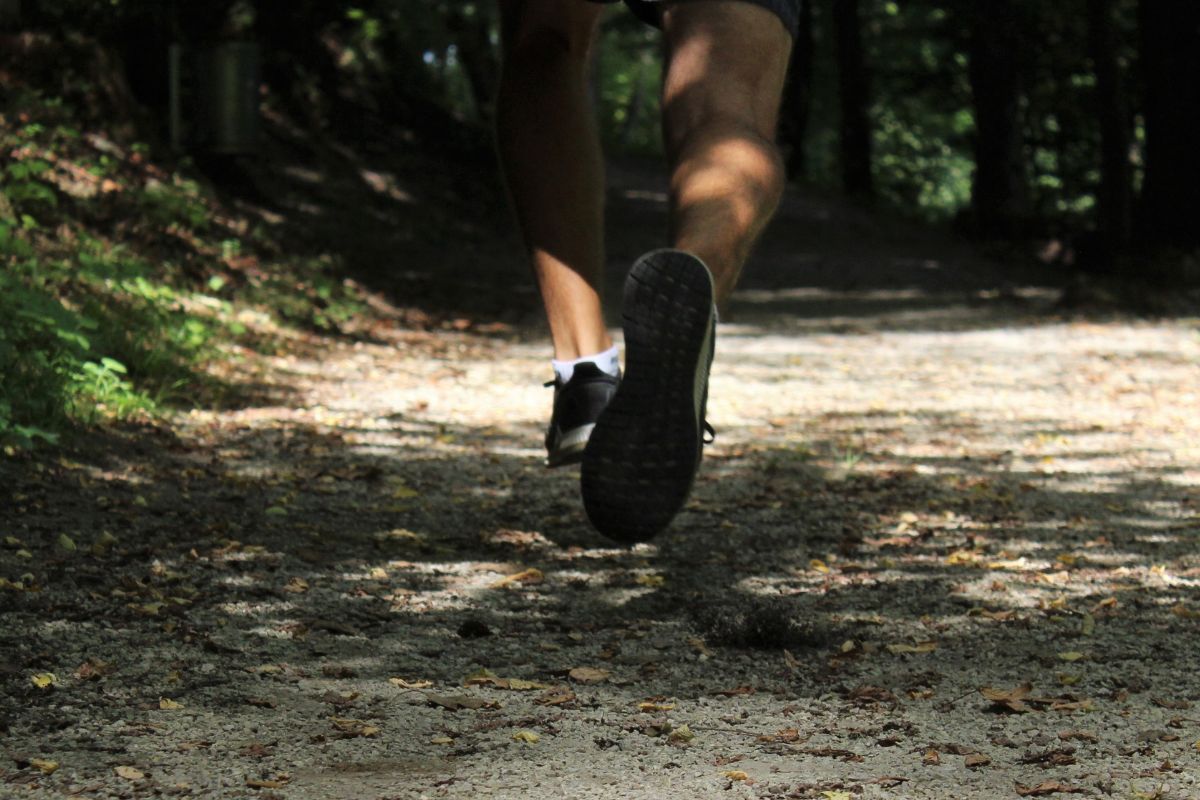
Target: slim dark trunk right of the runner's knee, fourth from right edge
x=854 y=88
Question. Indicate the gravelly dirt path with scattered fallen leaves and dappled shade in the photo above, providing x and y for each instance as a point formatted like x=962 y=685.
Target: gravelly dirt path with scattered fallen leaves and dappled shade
x=946 y=545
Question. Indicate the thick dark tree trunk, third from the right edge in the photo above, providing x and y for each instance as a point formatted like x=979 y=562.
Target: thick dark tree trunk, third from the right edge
x=1000 y=194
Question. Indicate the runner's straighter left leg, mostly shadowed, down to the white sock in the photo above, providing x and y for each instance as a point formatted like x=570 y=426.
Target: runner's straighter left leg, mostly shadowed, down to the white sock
x=550 y=153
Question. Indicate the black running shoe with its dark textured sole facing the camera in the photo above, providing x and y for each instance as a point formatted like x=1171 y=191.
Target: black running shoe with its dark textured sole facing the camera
x=641 y=462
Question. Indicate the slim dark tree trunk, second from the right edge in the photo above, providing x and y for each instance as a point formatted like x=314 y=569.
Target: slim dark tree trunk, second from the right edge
x=1115 y=196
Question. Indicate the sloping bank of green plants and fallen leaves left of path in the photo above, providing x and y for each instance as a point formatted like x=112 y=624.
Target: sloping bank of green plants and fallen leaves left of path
x=125 y=280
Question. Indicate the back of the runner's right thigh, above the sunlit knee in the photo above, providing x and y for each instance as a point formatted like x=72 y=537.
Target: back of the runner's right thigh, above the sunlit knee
x=727 y=61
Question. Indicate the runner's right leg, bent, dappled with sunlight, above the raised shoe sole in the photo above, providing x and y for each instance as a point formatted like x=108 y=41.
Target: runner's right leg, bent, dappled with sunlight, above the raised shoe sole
x=724 y=81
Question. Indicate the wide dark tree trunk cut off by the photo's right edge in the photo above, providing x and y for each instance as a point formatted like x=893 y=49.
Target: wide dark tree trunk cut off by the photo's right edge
x=1171 y=38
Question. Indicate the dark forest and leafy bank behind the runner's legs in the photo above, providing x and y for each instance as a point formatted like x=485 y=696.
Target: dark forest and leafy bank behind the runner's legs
x=1061 y=133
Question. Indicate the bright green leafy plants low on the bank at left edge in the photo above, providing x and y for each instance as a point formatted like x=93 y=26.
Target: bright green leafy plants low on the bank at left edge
x=89 y=339
